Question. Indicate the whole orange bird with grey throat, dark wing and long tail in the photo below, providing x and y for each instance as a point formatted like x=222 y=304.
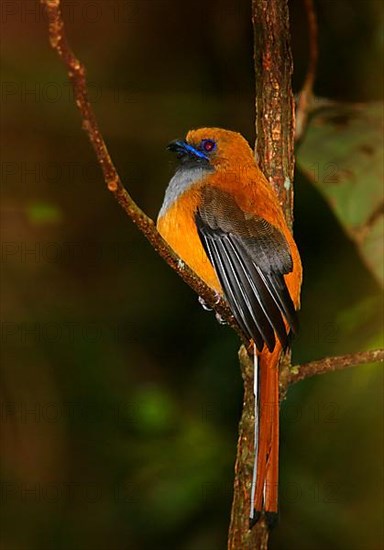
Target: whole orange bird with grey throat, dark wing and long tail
x=222 y=217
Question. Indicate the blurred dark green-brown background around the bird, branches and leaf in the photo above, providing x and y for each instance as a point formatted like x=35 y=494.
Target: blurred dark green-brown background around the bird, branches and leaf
x=120 y=395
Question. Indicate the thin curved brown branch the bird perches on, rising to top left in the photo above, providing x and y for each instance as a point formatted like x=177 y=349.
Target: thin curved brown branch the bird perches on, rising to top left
x=76 y=75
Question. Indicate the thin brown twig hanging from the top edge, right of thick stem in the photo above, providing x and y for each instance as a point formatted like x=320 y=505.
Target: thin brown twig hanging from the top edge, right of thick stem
x=306 y=94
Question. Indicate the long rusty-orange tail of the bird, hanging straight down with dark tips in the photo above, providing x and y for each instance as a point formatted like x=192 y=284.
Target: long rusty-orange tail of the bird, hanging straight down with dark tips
x=264 y=497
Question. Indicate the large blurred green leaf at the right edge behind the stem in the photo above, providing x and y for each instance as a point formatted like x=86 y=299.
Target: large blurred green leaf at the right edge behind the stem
x=342 y=154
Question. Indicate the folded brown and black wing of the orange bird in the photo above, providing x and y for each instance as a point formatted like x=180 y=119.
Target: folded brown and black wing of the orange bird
x=250 y=257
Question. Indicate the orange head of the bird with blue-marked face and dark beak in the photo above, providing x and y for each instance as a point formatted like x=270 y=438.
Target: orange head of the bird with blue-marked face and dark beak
x=213 y=148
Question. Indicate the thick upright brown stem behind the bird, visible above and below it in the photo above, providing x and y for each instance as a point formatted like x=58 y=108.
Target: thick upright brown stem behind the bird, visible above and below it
x=275 y=155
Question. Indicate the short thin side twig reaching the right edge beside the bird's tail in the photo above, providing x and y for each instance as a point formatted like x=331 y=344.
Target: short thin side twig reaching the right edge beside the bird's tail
x=330 y=364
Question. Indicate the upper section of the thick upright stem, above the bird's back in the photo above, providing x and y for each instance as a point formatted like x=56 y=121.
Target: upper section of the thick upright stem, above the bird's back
x=274 y=98
